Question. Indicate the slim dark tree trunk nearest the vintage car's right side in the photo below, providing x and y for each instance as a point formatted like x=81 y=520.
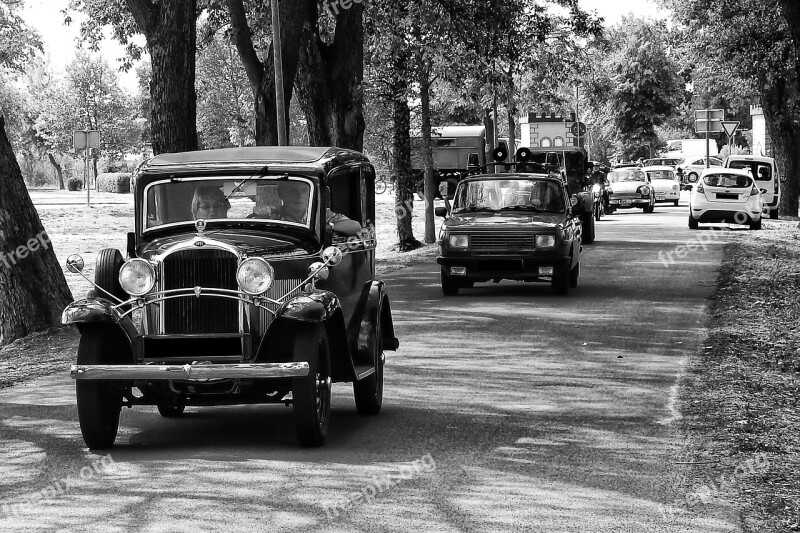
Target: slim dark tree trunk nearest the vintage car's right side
x=401 y=155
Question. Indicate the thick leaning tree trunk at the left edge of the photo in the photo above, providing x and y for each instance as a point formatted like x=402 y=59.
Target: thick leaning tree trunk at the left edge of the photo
x=31 y=281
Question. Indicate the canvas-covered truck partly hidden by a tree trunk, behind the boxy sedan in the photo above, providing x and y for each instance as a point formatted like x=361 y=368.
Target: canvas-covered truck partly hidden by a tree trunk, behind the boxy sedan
x=457 y=150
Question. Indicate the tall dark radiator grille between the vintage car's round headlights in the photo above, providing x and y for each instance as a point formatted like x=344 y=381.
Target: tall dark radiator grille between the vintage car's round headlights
x=204 y=268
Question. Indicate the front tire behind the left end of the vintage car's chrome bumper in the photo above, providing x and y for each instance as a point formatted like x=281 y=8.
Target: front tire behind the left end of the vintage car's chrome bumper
x=99 y=402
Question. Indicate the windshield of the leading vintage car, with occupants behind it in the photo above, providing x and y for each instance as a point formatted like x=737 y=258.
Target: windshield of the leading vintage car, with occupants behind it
x=181 y=200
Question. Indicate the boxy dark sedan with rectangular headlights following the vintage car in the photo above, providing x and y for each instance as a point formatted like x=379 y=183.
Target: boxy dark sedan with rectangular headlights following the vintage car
x=517 y=226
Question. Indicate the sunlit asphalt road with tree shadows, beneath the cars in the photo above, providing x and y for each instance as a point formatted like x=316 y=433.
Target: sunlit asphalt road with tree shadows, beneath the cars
x=506 y=409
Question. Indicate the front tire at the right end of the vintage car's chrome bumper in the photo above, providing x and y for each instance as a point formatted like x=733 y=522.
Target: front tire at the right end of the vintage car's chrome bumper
x=311 y=395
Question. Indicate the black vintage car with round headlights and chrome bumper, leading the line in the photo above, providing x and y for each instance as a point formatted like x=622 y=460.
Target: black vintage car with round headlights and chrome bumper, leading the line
x=237 y=289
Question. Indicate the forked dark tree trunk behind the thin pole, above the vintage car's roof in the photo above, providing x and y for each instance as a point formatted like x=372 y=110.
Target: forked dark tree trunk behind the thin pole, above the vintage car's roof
x=262 y=74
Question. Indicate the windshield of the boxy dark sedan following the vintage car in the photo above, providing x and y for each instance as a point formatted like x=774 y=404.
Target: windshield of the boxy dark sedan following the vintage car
x=509 y=195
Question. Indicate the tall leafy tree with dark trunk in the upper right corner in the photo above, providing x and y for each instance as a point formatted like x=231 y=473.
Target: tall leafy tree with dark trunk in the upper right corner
x=734 y=53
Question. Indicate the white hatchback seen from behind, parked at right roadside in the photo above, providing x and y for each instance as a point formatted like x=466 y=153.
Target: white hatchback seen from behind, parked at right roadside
x=725 y=195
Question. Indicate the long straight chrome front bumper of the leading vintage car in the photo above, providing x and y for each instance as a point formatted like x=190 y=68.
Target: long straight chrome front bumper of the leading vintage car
x=189 y=372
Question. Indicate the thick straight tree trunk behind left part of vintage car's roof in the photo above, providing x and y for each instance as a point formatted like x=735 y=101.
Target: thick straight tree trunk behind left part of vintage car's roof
x=171 y=32
